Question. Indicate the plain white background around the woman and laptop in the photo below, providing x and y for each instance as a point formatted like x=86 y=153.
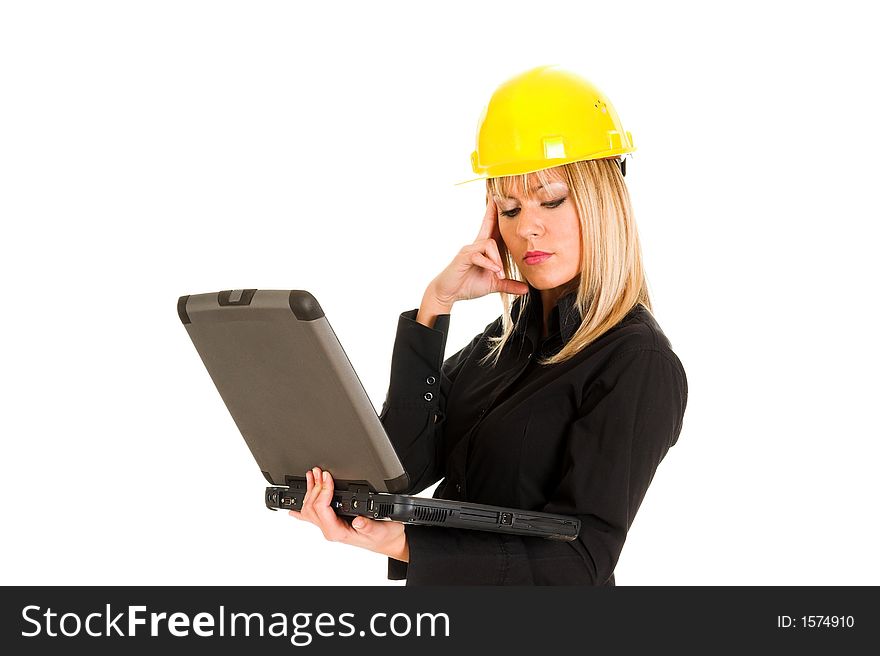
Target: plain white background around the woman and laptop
x=154 y=149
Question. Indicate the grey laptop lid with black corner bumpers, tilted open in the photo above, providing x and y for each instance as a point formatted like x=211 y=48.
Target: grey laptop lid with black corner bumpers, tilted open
x=290 y=387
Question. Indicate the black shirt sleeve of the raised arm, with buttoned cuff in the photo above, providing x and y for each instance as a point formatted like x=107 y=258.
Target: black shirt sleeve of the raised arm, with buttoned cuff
x=415 y=405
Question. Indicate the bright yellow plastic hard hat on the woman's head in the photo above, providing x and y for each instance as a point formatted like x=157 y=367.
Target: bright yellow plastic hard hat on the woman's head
x=545 y=117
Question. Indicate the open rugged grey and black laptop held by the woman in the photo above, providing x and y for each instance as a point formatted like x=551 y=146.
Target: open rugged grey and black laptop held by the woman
x=298 y=403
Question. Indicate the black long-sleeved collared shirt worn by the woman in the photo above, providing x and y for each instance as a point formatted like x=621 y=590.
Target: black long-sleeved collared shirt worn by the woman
x=581 y=438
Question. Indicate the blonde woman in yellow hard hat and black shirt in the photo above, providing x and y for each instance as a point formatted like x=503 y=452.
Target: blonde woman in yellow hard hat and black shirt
x=569 y=400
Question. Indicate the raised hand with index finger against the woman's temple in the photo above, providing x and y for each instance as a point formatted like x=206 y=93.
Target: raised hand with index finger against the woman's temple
x=477 y=269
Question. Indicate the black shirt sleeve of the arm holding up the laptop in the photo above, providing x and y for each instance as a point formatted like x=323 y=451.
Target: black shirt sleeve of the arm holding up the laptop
x=622 y=431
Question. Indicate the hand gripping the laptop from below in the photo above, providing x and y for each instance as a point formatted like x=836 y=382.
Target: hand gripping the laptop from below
x=384 y=537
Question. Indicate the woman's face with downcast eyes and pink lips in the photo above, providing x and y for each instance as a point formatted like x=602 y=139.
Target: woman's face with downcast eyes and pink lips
x=546 y=222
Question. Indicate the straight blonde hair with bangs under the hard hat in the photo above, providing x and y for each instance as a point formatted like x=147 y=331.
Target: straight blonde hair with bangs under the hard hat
x=612 y=280
